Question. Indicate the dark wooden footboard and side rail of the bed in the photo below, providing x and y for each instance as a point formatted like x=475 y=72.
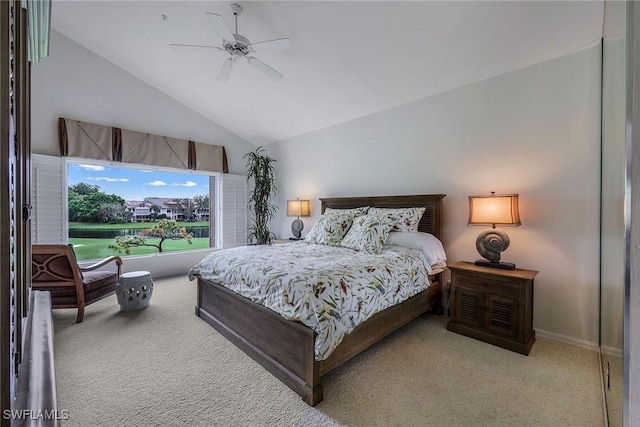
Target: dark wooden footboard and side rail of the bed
x=285 y=348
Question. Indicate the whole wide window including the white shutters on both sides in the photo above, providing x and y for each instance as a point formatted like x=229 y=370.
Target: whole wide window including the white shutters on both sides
x=96 y=206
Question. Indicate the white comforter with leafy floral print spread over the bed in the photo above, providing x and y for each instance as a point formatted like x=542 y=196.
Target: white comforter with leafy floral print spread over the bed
x=330 y=289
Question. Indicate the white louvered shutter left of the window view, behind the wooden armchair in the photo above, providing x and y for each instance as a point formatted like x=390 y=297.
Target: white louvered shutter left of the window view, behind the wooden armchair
x=49 y=198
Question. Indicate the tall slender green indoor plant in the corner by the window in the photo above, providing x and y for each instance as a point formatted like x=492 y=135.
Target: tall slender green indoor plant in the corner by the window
x=261 y=171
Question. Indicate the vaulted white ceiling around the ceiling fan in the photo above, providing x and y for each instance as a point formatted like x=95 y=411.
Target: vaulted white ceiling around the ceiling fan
x=350 y=59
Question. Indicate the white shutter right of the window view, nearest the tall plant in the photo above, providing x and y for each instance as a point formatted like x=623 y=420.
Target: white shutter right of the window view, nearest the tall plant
x=231 y=223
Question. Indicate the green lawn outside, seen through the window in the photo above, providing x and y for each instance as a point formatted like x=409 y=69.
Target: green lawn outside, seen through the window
x=88 y=249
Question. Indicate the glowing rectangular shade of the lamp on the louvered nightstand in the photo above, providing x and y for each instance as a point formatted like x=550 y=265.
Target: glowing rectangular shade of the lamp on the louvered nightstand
x=494 y=209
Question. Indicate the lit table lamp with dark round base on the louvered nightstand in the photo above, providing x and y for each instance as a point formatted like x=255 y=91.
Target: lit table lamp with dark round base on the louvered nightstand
x=495 y=209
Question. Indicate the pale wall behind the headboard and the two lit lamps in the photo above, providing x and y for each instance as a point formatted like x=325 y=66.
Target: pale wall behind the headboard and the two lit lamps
x=534 y=132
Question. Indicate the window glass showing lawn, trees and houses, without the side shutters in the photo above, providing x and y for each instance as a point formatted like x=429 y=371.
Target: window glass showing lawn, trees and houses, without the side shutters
x=135 y=211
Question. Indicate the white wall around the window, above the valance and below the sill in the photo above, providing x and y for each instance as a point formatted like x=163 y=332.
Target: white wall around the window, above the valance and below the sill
x=76 y=83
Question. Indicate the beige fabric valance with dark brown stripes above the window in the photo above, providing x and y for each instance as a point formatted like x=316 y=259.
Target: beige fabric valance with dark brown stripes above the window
x=92 y=141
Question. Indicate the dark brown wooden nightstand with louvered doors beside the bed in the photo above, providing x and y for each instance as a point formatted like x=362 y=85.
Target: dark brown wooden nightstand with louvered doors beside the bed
x=493 y=305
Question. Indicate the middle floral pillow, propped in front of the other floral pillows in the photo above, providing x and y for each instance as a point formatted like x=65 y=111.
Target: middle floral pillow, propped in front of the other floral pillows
x=368 y=233
